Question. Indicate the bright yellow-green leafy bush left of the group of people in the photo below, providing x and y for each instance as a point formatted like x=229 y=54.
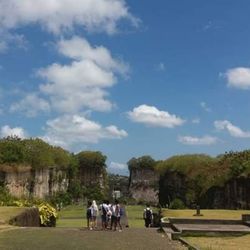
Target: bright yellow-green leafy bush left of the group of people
x=47 y=214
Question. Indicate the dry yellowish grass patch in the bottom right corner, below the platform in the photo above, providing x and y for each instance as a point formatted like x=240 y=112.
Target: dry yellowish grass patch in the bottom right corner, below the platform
x=221 y=243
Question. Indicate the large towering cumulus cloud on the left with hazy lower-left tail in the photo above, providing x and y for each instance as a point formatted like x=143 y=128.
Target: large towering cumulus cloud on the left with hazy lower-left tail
x=79 y=85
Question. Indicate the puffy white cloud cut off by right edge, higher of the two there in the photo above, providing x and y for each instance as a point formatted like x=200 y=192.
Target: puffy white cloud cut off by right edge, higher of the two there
x=238 y=77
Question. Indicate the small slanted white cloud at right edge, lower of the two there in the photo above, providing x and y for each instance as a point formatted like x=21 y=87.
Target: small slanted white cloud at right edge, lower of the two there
x=232 y=129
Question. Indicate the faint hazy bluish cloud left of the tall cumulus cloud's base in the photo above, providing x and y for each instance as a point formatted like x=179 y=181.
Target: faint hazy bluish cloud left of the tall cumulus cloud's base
x=31 y=105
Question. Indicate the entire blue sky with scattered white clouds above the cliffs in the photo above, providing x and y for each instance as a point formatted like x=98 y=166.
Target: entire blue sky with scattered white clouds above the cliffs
x=125 y=77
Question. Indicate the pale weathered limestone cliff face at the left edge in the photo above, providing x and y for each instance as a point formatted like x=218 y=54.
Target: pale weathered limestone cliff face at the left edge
x=26 y=182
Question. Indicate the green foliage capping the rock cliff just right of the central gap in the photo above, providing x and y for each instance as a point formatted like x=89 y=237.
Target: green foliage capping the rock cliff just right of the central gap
x=144 y=162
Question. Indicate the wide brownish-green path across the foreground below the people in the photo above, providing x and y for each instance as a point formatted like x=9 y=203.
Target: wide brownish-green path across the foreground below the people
x=75 y=238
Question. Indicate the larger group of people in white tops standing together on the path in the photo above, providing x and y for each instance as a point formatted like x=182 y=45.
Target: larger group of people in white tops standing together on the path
x=110 y=215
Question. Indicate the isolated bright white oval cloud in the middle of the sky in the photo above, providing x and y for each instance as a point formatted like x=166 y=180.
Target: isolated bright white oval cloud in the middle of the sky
x=151 y=116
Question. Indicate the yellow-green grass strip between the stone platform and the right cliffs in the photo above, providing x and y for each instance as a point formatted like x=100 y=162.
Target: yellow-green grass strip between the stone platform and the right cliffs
x=207 y=214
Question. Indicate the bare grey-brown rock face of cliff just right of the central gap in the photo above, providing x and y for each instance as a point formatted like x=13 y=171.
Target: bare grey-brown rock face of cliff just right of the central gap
x=143 y=185
